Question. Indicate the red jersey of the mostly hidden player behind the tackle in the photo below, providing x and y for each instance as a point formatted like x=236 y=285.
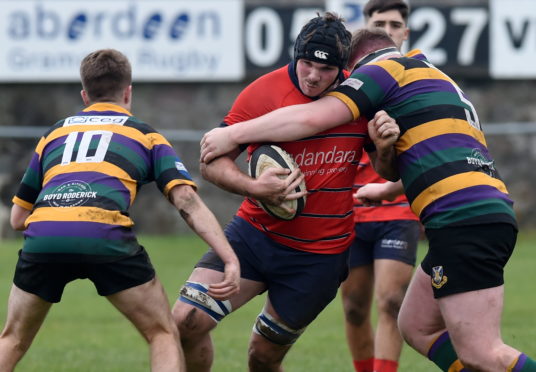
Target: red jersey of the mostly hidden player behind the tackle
x=398 y=209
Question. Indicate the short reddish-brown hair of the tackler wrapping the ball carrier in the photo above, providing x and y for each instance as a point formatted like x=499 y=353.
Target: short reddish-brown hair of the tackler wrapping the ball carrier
x=369 y=40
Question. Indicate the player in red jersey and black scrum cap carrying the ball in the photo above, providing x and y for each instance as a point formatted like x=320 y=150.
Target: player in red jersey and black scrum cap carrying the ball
x=299 y=263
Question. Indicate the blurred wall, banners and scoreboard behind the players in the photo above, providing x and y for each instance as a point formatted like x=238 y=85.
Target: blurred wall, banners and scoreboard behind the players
x=191 y=58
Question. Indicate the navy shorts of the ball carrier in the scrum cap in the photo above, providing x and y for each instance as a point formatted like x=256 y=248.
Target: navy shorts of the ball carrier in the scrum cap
x=300 y=284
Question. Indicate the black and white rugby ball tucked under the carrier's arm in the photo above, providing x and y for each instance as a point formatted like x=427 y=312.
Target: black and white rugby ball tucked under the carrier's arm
x=268 y=156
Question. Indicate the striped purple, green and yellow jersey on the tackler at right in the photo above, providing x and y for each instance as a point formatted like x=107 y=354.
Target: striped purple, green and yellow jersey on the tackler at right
x=447 y=171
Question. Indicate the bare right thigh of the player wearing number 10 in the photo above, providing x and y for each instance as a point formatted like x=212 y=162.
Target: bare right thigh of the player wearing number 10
x=146 y=306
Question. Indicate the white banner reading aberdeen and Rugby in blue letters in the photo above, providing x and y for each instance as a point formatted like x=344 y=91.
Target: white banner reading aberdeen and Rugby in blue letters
x=165 y=40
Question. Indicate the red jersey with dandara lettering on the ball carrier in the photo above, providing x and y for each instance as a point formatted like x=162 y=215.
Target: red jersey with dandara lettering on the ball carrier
x=328 y=160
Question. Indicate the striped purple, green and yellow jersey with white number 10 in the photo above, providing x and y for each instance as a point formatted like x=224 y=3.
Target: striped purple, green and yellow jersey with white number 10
x=84 y=175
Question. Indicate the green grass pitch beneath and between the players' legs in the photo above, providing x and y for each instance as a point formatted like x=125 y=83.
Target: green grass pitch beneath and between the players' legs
x=84 y=332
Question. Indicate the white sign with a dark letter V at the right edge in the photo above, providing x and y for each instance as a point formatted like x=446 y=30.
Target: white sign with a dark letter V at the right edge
x=513 y=39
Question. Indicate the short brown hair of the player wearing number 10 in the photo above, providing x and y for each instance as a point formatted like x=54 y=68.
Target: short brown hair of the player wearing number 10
x=105 y=73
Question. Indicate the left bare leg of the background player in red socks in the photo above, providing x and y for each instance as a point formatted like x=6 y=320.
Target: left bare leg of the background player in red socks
x=356 y=293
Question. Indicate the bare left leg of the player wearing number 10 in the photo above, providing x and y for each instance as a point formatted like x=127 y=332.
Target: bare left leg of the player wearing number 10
x=25 y=315
